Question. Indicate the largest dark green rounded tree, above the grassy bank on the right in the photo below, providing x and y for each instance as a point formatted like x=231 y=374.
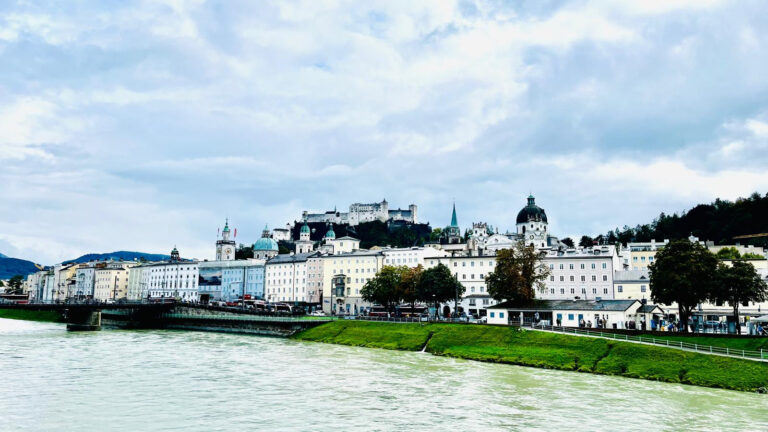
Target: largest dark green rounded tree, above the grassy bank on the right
x=684 y=273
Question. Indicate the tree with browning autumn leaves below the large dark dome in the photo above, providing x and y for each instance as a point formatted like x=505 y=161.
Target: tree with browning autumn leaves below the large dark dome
x=519 y=272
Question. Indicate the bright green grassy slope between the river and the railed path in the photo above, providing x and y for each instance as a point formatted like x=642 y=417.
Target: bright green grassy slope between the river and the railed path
x=546 y=350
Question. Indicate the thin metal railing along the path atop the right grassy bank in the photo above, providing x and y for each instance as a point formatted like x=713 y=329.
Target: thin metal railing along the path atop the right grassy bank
x=760 y=355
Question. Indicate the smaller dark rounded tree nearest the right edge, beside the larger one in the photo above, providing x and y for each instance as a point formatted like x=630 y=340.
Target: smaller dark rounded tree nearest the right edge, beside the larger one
x=738 y=284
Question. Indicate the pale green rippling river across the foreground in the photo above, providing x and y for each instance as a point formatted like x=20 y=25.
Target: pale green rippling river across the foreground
x=116 y=380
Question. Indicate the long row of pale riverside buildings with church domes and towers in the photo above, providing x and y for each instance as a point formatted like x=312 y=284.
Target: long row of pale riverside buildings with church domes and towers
x=330 y=274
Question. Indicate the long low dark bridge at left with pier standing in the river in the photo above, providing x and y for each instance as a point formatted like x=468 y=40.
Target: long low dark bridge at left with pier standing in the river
x=176 y=316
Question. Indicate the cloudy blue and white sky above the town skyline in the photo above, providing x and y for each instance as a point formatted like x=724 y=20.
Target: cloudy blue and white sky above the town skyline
x=142 y=125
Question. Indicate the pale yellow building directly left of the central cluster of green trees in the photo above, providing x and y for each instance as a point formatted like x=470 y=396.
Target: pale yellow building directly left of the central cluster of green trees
x=352 y=270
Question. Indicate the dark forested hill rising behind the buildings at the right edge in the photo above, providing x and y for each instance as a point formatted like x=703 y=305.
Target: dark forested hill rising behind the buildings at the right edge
x=718 y=221
